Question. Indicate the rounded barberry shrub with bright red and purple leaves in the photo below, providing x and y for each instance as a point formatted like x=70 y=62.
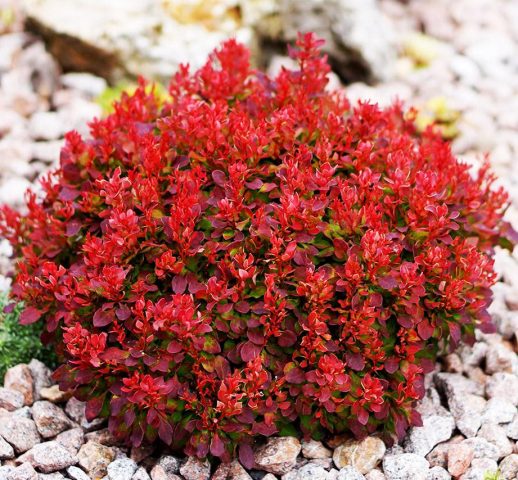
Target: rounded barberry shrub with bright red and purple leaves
x=254 y=256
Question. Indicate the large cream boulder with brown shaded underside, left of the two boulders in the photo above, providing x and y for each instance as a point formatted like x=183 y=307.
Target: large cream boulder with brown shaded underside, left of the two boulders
x=130 y=37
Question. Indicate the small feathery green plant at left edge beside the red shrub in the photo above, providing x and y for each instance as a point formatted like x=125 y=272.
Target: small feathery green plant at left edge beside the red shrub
x=20 y=343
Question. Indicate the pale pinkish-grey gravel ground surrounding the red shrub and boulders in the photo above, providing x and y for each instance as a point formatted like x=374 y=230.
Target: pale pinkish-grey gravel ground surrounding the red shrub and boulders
x=462 y=70
